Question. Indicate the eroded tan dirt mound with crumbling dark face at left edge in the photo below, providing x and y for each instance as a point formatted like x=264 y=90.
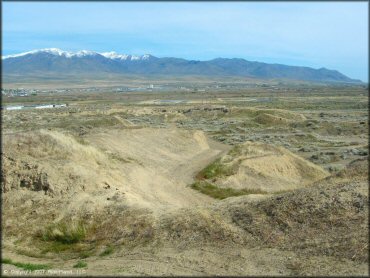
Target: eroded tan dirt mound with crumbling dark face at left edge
x=50 y=161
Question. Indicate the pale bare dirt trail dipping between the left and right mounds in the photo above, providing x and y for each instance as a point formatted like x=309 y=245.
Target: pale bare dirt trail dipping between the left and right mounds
x=162 y=162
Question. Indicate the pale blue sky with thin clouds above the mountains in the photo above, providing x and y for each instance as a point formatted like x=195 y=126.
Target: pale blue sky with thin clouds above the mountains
x=315 y=34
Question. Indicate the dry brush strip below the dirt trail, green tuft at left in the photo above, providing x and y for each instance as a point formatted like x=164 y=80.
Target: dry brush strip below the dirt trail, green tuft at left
x=119 y=228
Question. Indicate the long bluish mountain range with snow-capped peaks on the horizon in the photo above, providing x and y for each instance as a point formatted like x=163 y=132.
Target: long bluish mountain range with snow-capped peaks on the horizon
x=55 y=61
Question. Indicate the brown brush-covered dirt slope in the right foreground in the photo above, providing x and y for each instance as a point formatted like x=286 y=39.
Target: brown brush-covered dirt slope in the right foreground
x=319 y=220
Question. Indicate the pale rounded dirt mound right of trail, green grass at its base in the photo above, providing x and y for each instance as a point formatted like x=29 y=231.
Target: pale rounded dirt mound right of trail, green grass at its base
x=268 y=168
